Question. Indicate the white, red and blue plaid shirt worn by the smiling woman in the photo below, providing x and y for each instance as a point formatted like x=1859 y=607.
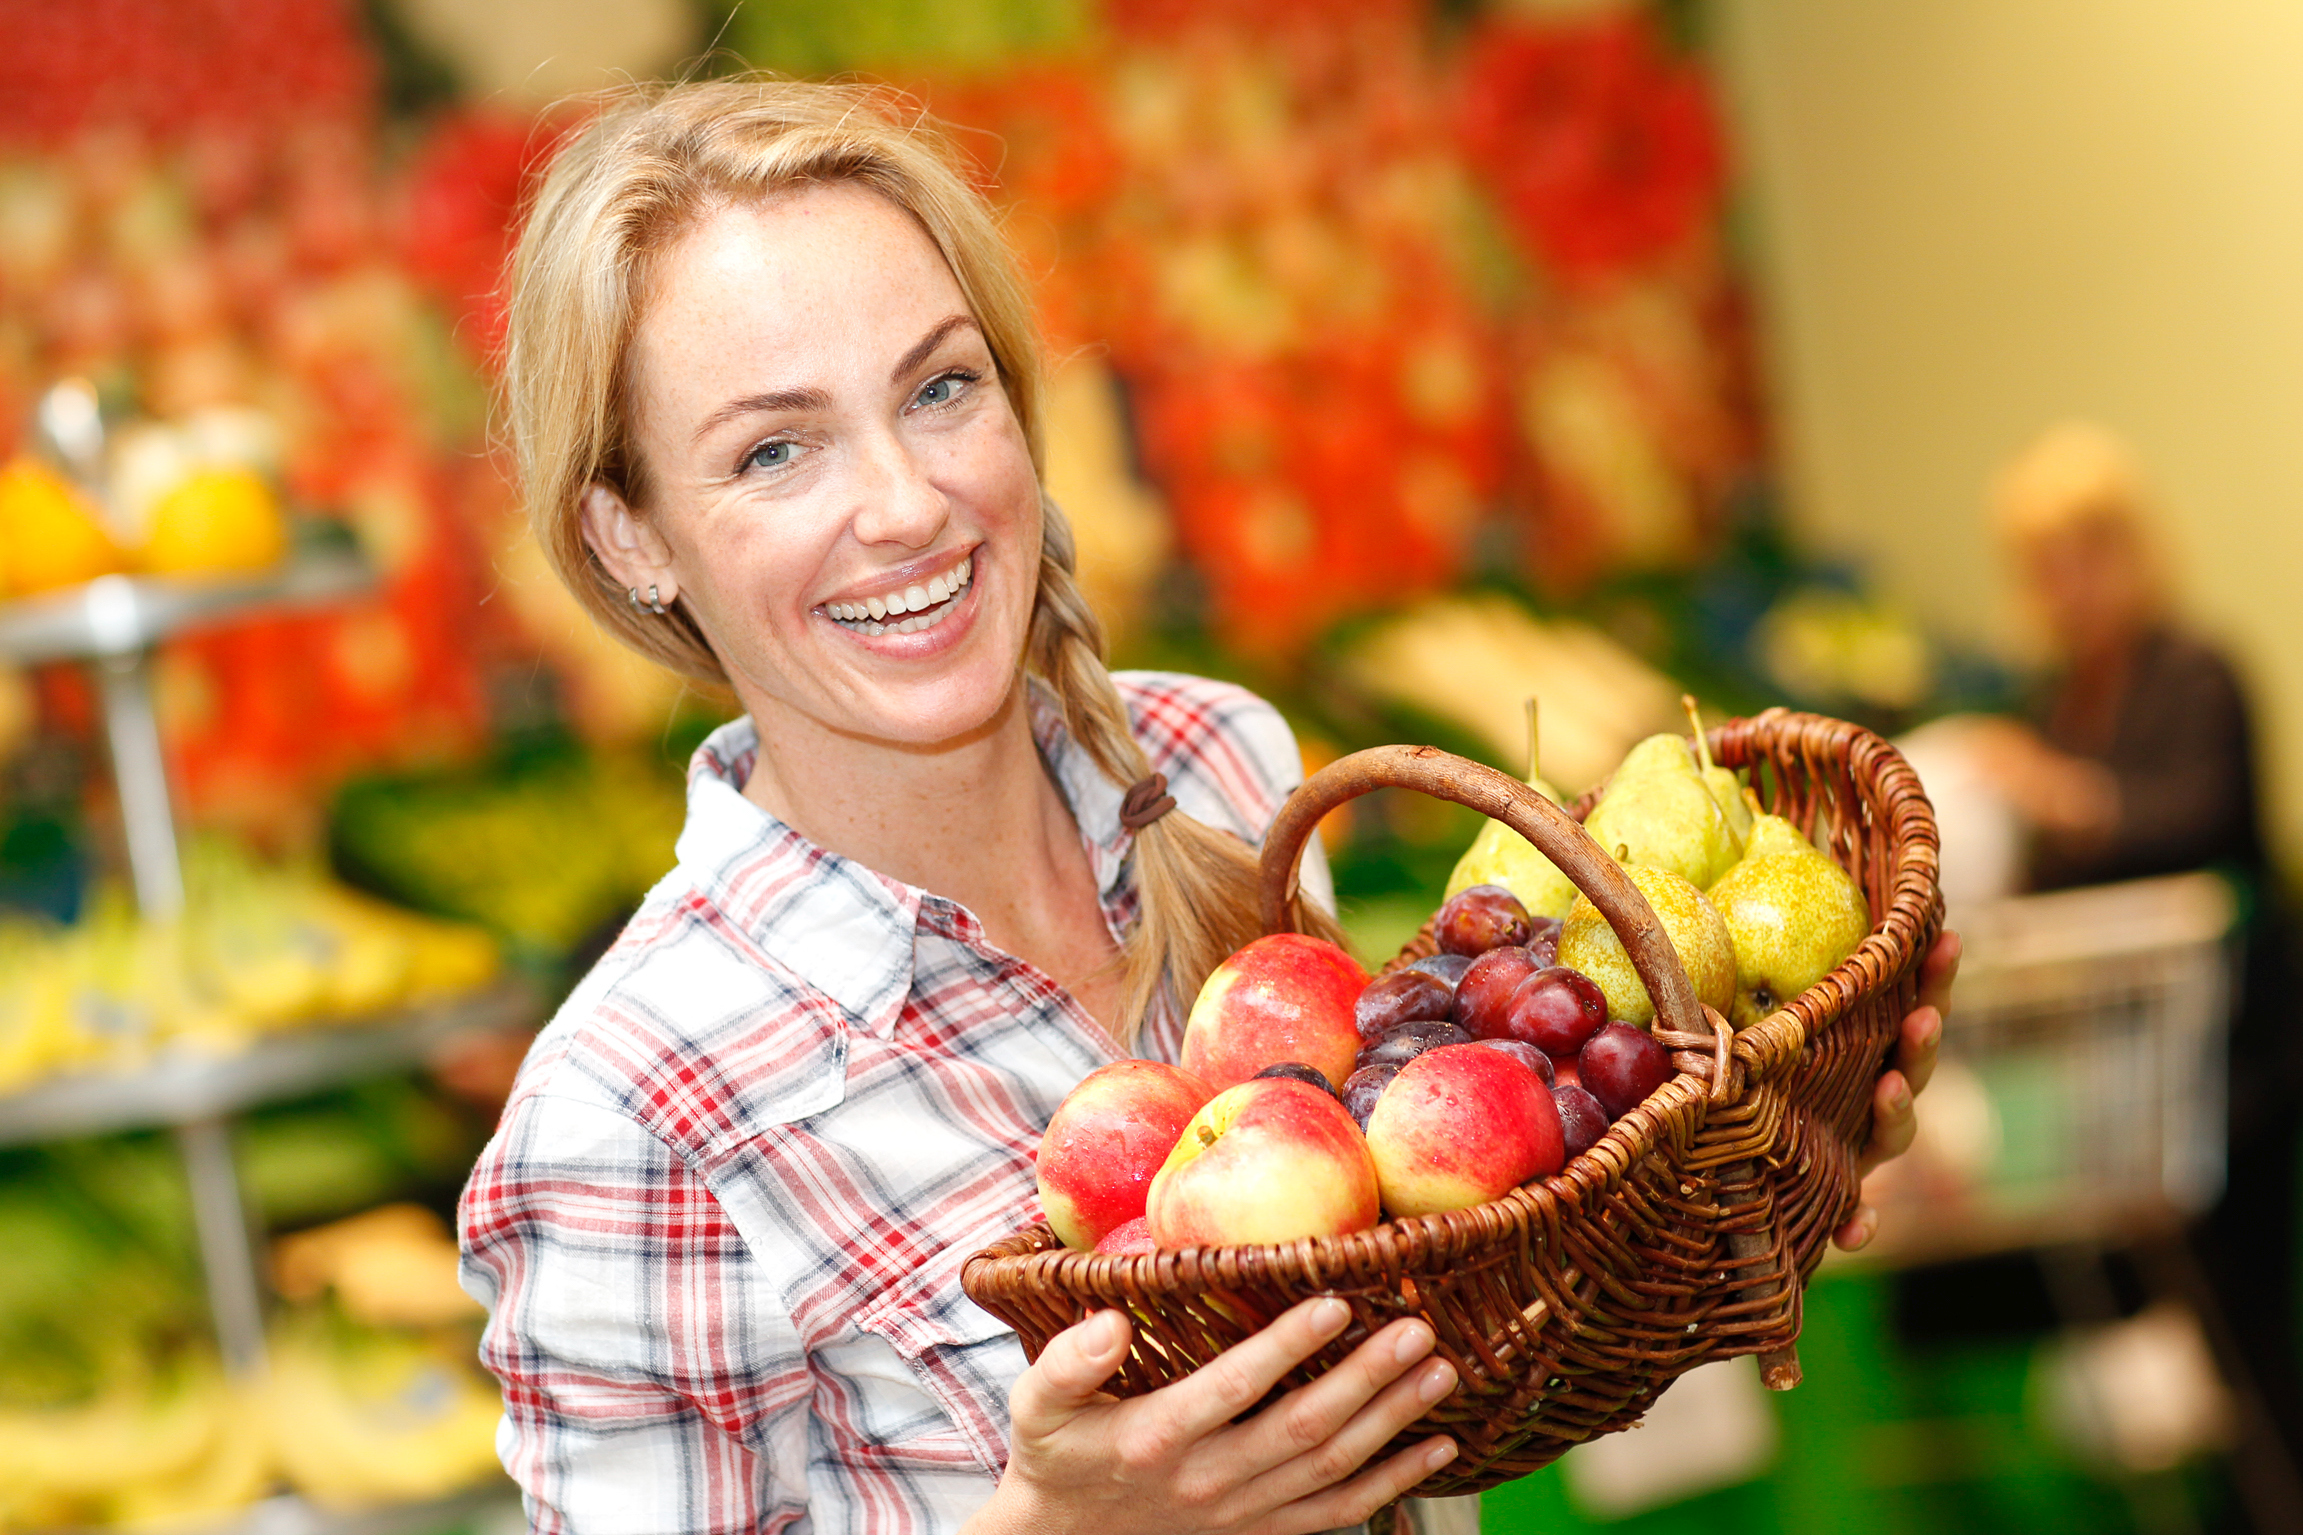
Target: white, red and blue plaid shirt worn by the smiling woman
x=722 y=1223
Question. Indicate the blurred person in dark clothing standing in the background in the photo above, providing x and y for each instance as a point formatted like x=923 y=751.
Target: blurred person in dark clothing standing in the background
x=2138 y=758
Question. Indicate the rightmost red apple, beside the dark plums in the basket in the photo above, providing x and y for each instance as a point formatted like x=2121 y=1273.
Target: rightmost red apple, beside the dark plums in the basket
x=1459 y=1127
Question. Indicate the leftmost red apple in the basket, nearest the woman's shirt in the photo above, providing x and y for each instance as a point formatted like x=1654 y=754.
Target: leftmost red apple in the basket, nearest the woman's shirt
x=1107 y=1143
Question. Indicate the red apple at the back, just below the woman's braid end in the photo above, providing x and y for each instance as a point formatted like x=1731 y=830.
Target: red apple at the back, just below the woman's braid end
x=1279 y=1000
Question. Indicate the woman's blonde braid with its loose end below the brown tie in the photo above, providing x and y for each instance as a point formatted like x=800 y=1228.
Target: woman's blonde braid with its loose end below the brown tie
x=1199 y=885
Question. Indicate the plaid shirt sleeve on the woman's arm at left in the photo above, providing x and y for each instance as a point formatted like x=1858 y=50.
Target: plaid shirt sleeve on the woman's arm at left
x=651 y=1382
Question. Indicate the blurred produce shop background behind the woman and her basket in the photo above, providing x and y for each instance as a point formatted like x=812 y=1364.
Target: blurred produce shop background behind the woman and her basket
x=1931 y=367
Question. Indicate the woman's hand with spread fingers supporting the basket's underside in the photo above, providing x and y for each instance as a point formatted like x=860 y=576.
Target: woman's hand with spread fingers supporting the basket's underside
x=1176 y=1463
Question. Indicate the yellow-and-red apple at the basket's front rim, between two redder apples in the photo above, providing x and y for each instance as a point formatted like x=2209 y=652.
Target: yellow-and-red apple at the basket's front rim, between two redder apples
x=1265 y=1163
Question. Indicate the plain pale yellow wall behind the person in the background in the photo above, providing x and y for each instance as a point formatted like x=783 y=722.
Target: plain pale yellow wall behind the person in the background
x=1973 y=217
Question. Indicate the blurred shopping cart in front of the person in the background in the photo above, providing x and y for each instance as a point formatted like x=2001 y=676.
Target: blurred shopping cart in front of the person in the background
x=2081 y=1094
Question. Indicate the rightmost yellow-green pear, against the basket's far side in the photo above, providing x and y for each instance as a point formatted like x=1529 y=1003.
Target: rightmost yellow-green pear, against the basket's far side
x=1793 y=917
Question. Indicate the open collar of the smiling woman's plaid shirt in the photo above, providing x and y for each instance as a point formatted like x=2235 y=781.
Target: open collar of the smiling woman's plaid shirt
x=833 y=922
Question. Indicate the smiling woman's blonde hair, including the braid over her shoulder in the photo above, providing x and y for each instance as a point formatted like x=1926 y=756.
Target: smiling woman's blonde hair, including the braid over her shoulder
x=616 y=199
